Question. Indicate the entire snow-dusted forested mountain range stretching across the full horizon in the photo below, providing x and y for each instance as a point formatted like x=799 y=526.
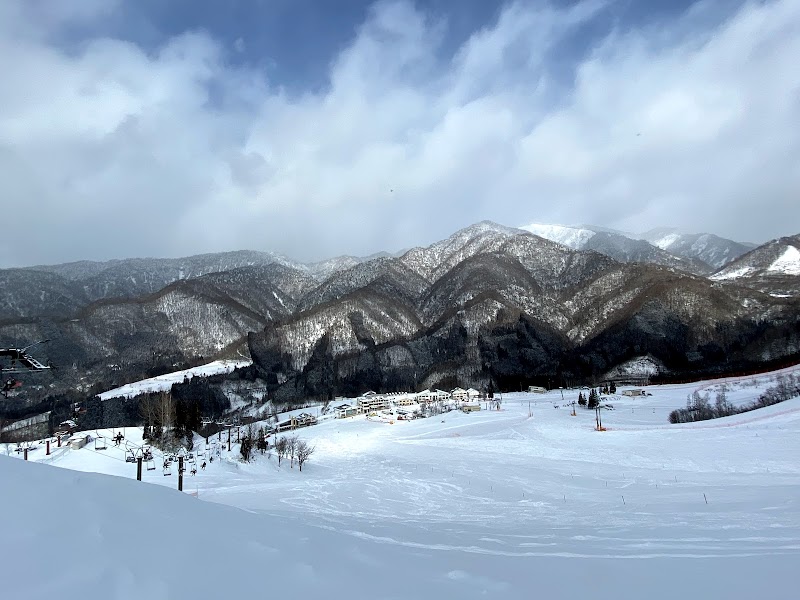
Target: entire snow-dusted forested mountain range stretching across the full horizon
x=443 y=311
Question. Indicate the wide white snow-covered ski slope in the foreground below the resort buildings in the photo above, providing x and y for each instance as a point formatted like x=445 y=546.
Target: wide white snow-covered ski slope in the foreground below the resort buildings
x=481 y=505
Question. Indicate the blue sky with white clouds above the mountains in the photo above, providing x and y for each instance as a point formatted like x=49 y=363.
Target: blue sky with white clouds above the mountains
x=315 y=128
